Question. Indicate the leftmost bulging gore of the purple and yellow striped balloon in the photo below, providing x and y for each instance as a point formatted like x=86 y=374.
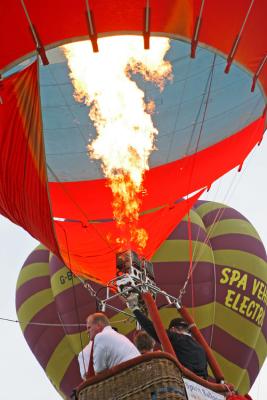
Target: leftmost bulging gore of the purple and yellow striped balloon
x=35 y=303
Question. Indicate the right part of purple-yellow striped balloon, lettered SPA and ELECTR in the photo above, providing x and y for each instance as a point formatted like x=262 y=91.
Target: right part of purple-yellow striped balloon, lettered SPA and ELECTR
x=228 y=291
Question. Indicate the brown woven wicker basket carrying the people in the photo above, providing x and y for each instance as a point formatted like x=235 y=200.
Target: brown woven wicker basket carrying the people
x=156 y=379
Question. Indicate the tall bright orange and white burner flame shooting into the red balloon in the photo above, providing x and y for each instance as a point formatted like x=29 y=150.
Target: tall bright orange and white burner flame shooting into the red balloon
x=122 y=118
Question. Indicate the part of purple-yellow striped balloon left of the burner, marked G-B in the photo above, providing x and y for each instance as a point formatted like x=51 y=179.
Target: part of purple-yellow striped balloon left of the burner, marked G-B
x=52 y=306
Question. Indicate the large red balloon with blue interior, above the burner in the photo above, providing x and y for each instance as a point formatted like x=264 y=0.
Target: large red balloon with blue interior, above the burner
x=208 y=121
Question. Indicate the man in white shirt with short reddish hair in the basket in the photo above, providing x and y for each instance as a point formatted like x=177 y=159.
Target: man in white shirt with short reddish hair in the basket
x=110 y=348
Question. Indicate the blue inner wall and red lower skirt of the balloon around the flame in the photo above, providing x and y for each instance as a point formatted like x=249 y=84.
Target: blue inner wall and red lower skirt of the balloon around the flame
x=195 y=145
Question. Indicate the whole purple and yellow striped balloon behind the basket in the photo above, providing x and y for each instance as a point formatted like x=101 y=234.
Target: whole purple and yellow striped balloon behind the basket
x=227 y=291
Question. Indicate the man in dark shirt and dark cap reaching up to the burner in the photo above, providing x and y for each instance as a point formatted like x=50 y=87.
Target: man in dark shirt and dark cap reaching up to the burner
x=188 y=351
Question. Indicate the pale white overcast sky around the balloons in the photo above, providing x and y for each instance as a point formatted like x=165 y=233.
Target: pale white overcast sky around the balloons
x=21 y=375
